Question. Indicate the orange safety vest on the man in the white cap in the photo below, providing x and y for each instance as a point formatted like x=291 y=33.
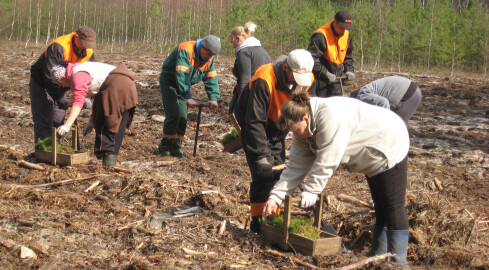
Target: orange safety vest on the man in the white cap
x=277 y=97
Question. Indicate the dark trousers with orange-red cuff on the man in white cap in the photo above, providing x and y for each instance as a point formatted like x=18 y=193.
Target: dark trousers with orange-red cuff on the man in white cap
x=261 y=186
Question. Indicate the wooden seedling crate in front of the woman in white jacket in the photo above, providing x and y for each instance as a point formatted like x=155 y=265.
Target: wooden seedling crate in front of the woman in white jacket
x=328 y=243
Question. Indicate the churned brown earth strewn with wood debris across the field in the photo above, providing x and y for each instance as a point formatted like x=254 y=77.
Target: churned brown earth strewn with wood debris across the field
x=128 y=221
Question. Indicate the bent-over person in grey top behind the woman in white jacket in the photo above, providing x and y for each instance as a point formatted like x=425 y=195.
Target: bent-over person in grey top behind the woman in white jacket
x=399 y=94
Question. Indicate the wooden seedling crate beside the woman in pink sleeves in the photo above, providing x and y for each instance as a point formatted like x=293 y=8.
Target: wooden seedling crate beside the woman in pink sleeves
x=60 y=158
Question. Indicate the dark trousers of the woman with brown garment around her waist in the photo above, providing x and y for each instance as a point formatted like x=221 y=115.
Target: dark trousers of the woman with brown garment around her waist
x=107 y=142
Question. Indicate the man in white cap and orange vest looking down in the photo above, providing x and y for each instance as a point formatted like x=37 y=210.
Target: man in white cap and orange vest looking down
x=257 y=110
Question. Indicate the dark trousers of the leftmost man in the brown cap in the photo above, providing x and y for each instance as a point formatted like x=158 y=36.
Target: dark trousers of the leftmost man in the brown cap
x=45 y=112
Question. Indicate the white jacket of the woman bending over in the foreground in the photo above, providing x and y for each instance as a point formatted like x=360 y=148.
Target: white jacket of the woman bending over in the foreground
x=367 y=138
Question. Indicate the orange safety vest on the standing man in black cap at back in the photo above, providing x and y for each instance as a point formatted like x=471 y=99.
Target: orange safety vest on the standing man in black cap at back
x=336 y=48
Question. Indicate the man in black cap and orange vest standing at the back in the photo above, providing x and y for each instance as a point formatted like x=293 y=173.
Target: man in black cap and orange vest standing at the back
x=331 y=48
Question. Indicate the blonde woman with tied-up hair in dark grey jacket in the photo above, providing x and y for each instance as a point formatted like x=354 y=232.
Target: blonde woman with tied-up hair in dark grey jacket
x=250 y=55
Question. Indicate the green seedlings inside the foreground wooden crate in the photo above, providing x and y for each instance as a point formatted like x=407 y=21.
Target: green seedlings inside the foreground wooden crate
x=298 y=226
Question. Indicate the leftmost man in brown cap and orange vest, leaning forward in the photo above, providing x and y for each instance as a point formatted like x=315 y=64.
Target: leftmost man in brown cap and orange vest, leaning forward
x=48 y=98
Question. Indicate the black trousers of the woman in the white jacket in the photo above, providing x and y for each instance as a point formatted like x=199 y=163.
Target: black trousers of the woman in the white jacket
x=388 y=191
